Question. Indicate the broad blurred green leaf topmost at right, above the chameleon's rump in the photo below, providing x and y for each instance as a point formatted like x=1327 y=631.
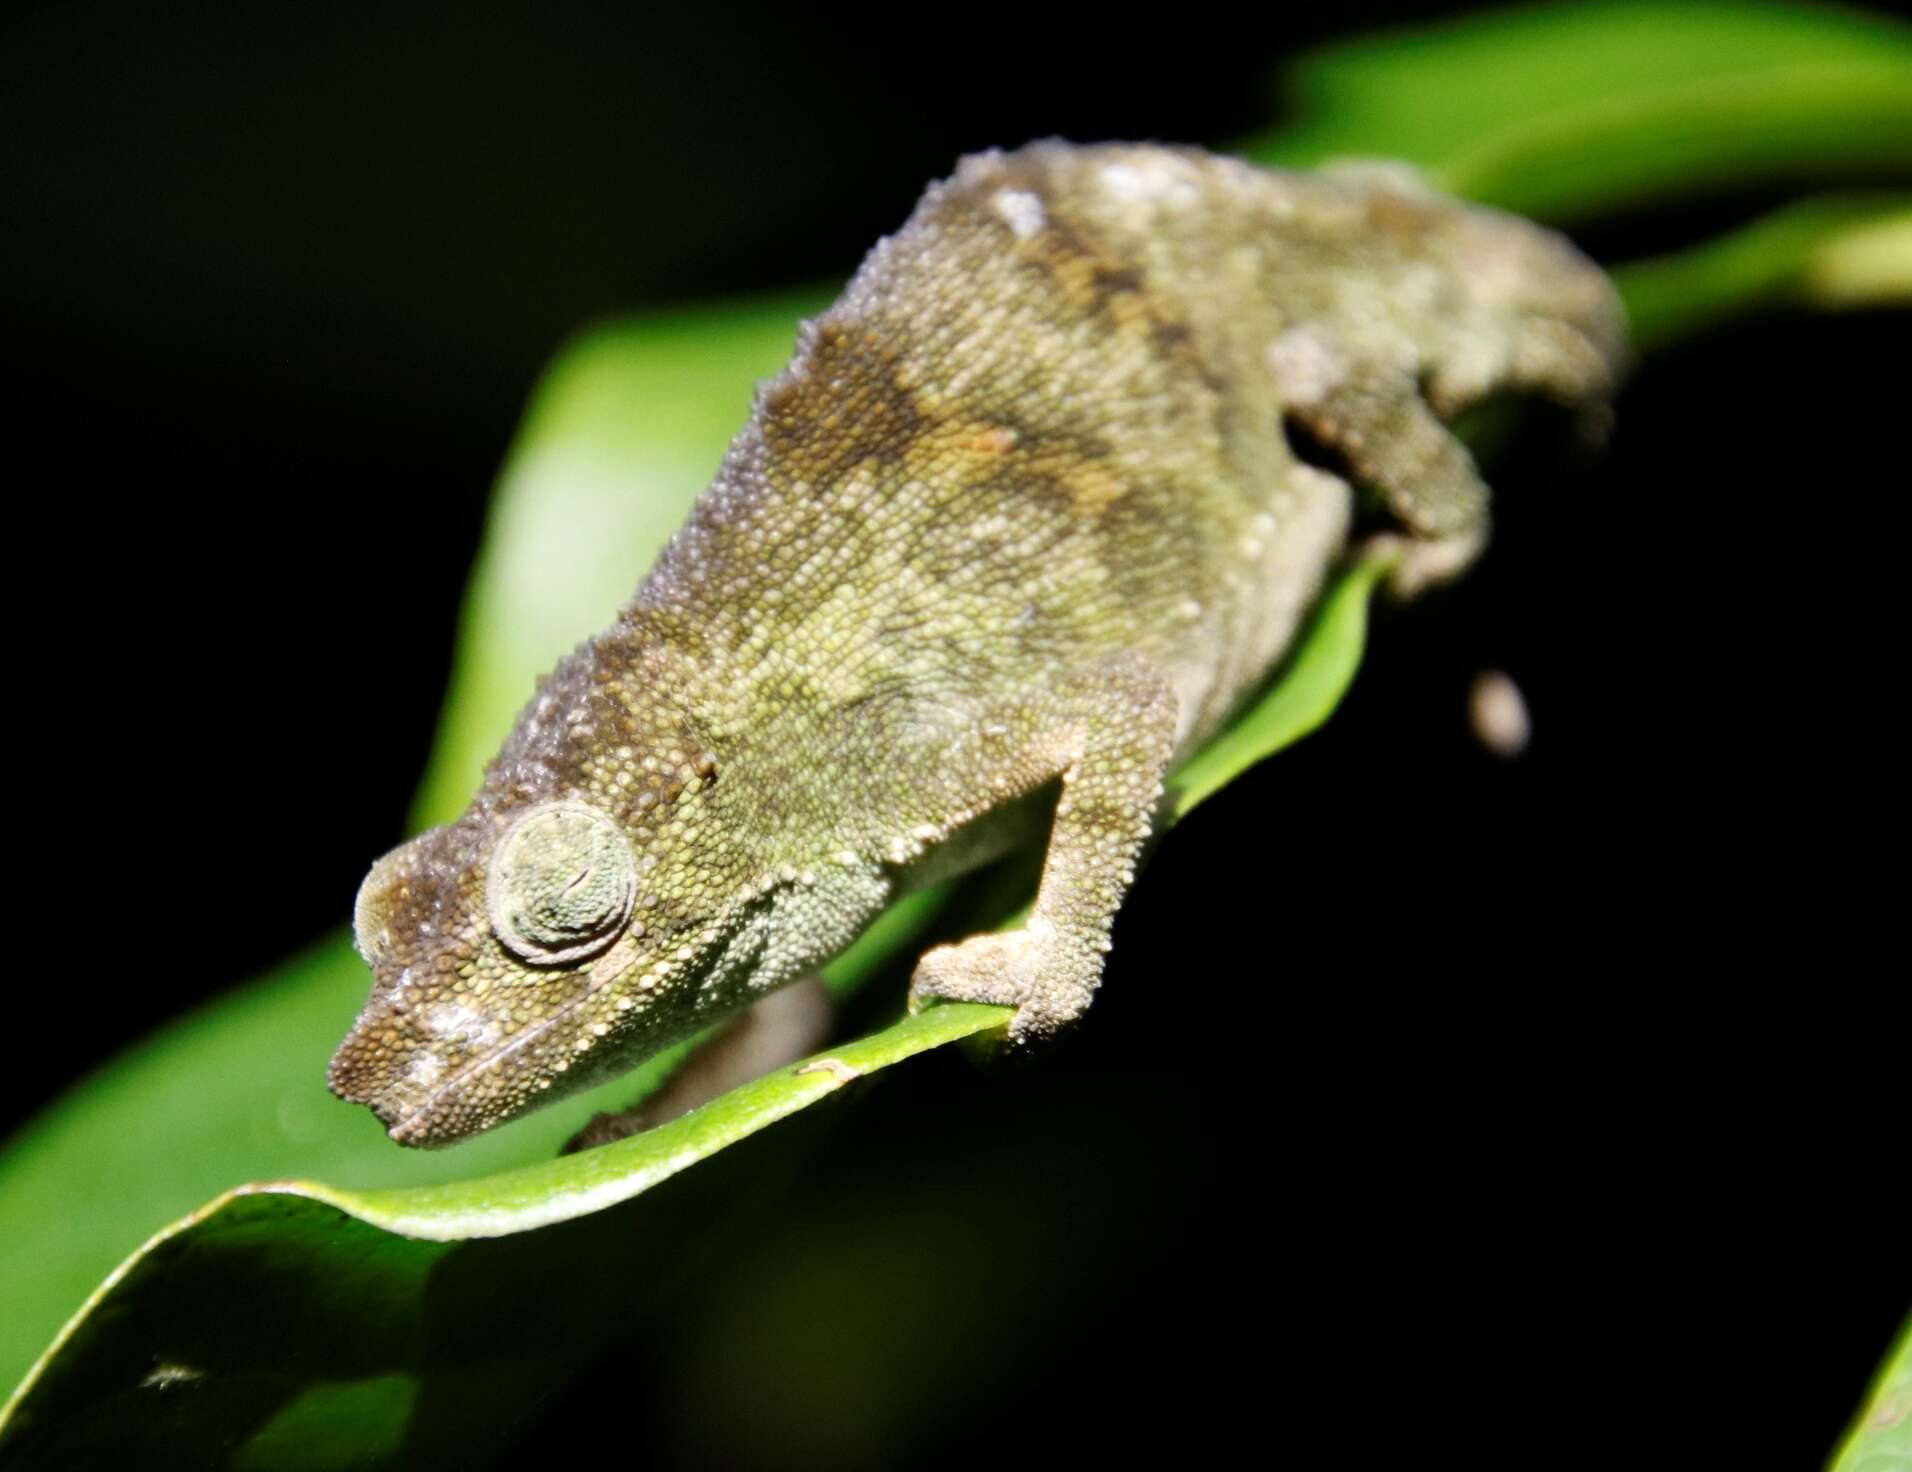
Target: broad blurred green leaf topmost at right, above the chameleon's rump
x=1569 y=112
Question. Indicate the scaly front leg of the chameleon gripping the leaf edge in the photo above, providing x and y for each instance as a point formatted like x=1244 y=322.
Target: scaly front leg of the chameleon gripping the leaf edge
x=1108 y=737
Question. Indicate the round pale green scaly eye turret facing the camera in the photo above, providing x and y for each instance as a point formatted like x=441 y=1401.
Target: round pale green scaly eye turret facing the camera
x=561 y=884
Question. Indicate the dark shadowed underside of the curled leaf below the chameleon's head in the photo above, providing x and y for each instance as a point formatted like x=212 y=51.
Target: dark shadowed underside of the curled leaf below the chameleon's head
x=278 y=1331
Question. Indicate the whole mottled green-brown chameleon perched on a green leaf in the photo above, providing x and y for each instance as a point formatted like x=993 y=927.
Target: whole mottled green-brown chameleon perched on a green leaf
x=1020 y=525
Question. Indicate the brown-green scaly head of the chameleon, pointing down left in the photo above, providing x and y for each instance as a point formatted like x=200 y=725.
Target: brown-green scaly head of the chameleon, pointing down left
x=563 y=928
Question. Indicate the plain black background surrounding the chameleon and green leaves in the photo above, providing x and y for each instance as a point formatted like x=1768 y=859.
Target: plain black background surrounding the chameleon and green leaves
x=1548 y=1104
